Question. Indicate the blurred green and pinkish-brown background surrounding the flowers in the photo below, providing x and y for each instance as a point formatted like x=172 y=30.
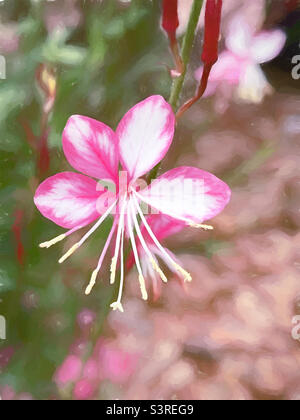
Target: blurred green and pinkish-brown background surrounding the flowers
x=228 y=334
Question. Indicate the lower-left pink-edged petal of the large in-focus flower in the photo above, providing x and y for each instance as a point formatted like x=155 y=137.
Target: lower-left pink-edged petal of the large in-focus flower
x=68 y=199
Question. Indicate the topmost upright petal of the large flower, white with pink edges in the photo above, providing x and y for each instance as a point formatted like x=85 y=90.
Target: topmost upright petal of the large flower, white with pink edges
x=145 y=135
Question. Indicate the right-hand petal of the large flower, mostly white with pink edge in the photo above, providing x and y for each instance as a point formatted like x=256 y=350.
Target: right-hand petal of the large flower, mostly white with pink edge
x=187 y=193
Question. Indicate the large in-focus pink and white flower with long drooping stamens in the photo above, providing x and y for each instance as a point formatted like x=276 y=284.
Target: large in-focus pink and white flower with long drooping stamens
x=141 y=140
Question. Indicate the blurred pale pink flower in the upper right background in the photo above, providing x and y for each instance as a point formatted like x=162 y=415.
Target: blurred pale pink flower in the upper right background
x=239 y=65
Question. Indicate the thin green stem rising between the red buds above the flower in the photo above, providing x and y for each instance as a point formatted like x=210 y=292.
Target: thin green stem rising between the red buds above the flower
x=186 y=51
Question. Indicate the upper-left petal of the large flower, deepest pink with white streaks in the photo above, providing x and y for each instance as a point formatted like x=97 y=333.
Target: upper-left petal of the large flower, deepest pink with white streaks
x=91 y=147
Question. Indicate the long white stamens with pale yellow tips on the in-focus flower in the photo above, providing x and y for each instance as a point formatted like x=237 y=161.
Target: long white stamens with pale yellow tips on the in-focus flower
x=127 y=209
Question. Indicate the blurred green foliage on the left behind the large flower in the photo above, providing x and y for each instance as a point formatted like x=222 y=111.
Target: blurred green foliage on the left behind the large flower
x=113 y=58
